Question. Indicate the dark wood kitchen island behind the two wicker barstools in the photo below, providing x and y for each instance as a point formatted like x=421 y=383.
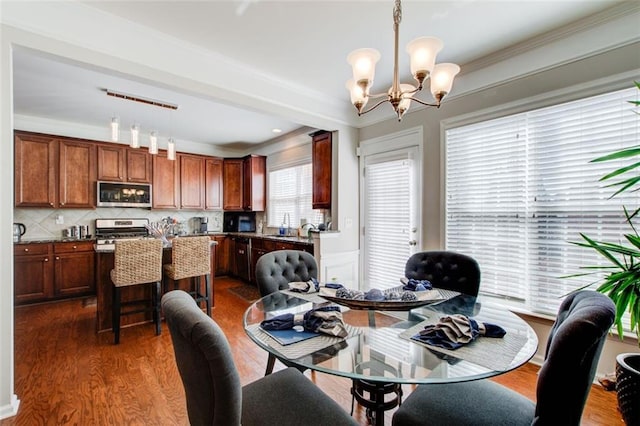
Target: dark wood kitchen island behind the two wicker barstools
x=104 y=289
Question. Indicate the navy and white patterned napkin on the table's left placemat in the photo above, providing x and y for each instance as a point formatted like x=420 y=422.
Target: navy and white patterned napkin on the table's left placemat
x=326 y=319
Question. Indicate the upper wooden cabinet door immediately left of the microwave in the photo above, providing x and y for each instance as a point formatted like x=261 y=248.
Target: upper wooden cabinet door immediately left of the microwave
x=77 y=175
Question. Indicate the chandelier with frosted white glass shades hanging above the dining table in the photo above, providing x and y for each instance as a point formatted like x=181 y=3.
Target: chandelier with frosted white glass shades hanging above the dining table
x=422 y=52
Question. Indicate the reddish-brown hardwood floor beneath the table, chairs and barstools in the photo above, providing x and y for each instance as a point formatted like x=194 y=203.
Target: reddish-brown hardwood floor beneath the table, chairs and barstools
x=66 y=374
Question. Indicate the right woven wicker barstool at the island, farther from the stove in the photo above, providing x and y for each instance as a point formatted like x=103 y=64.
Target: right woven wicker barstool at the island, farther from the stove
x=191 y=258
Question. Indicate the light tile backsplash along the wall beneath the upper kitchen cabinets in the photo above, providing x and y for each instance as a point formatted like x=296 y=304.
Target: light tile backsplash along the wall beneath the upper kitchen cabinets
x=42 y=223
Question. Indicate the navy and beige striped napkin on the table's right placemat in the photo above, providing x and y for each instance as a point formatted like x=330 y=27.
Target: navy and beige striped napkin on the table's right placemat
x=455 y=331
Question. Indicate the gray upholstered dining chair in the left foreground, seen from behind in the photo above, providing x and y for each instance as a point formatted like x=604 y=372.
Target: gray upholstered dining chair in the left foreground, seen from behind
x=212 y=384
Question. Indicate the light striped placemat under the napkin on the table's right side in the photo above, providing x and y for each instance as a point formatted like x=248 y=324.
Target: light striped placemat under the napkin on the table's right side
x=493 y=353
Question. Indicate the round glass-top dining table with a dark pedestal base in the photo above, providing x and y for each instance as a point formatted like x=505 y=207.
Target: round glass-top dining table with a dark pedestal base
x=379 y=354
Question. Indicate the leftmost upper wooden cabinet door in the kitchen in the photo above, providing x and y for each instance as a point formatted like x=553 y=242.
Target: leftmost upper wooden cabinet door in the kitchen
x=35 y=171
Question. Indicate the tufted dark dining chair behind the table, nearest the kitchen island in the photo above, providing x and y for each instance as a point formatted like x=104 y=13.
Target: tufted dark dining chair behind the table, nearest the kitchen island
x=275 y=270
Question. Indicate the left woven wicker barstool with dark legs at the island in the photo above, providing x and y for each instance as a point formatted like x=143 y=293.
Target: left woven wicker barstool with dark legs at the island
x=136 y=262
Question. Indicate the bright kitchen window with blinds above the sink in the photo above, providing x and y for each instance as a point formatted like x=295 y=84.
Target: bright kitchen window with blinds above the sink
x=290 y=191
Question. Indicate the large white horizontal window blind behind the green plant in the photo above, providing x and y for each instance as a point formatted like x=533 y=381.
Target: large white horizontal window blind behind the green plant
x=520 y=188
